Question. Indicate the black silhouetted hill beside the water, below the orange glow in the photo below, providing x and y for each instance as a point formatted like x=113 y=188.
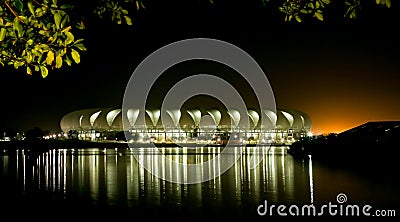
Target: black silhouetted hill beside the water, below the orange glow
x=369 y=149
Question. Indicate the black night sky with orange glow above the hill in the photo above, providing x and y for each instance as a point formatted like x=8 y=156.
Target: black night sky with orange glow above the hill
x=341 y=73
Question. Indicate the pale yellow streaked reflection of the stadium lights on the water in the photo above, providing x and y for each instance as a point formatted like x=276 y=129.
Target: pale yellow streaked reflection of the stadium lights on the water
x=114 y=177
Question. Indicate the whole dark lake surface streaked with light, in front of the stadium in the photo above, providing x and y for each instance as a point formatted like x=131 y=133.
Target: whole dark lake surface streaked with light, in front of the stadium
x=108 y=180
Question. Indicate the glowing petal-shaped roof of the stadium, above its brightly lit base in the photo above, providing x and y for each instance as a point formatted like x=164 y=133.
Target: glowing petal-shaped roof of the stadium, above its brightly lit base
x=111 y=119
